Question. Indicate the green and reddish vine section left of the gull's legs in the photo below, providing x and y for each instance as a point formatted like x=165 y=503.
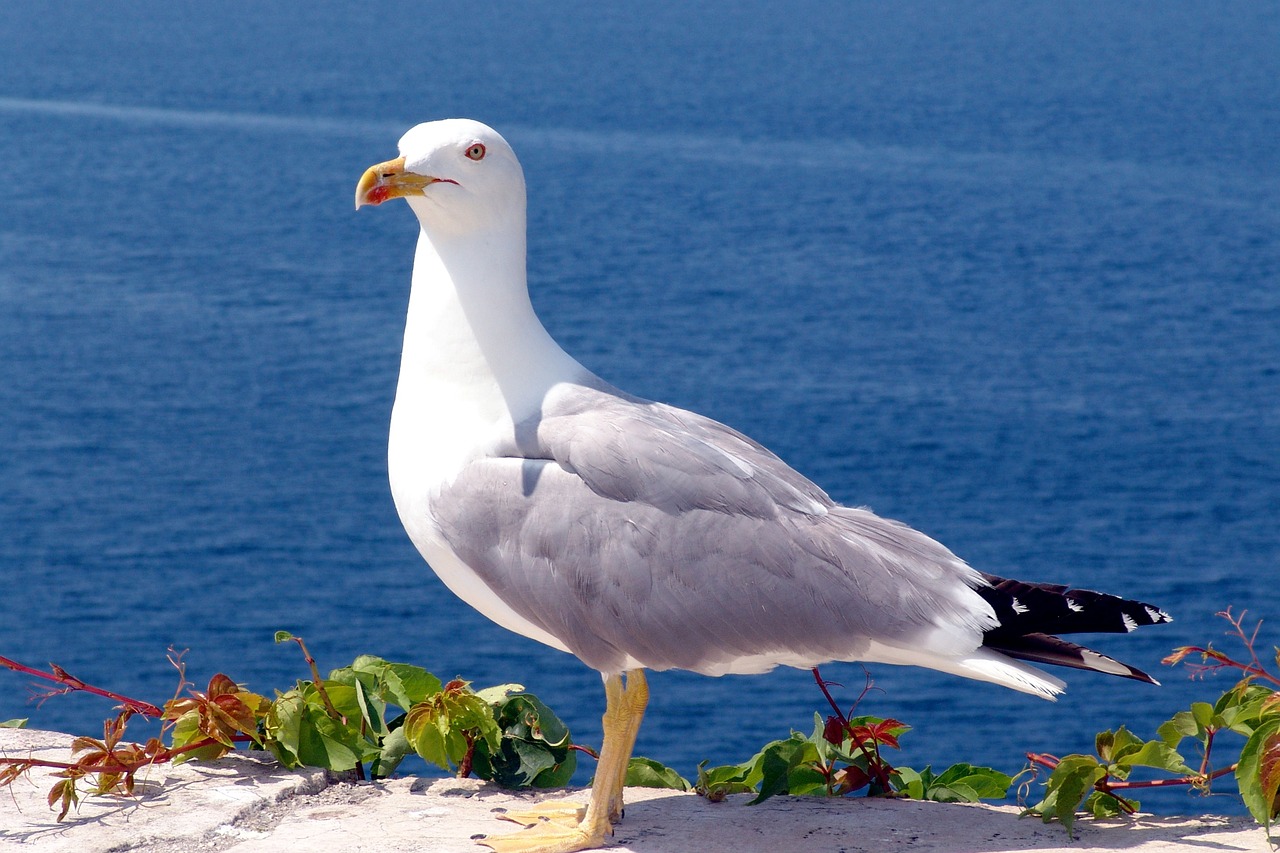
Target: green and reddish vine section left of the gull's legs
x=364 y=719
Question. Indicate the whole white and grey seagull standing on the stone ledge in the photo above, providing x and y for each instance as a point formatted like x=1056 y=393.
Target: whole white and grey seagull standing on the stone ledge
x=639 y=536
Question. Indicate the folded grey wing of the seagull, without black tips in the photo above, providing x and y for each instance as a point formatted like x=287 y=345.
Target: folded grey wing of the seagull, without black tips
x=639 y=533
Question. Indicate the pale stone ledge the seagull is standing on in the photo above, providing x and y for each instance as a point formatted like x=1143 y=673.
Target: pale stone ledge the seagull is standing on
x=249 y=805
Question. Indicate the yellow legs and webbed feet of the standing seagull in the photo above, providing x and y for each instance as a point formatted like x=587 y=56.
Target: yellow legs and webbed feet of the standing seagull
x=564 y=829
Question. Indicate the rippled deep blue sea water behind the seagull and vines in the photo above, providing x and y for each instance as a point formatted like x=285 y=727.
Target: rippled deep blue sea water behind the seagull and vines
x=1007 y=272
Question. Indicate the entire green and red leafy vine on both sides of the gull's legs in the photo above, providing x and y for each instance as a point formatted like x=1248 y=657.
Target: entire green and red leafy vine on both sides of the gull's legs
x=367 y=718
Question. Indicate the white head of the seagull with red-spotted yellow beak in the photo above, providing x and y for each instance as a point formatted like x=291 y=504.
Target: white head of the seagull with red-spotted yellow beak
x=459 y=176
